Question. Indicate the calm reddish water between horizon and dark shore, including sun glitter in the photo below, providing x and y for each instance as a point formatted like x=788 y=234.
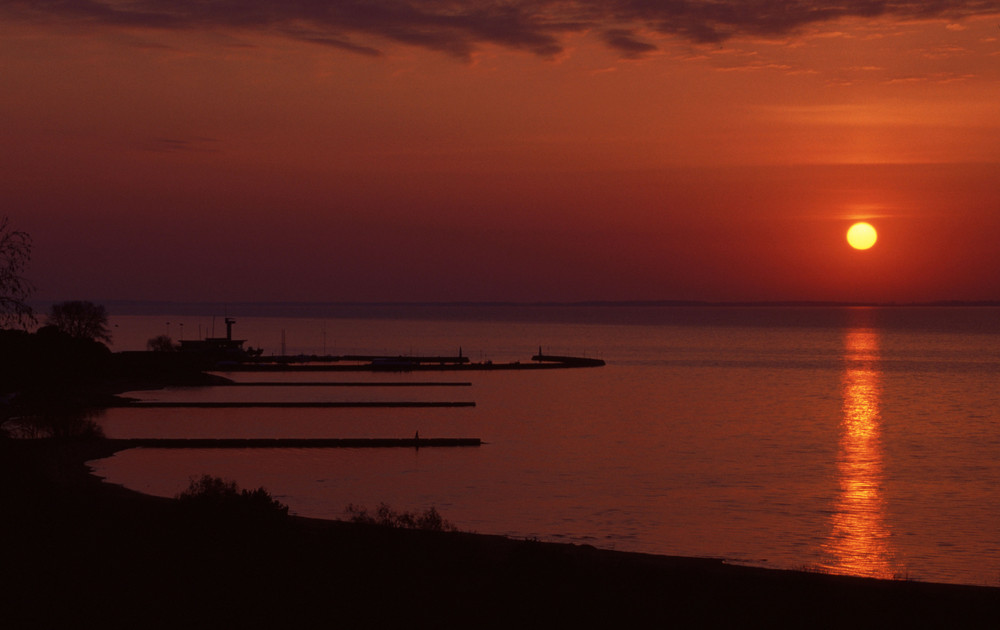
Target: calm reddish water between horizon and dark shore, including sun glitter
x=851 y=440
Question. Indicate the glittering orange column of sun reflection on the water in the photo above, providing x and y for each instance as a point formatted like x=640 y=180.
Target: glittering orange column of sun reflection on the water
x=859 y=541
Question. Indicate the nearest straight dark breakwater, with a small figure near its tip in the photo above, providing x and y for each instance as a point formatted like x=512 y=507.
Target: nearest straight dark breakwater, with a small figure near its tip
x=126 y=443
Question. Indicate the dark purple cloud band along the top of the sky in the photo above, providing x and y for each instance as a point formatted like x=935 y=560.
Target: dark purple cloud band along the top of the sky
x=458 y=28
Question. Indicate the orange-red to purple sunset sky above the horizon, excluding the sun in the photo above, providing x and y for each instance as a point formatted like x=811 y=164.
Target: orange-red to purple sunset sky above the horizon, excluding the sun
x=398 y=150
